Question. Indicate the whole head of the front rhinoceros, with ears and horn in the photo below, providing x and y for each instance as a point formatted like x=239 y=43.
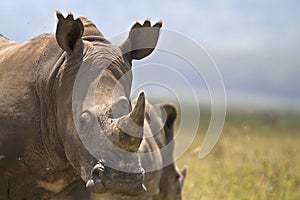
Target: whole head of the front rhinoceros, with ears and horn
x=102 y=73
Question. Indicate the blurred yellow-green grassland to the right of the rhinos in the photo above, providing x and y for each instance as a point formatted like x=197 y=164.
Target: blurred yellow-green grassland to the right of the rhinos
x=257 y=157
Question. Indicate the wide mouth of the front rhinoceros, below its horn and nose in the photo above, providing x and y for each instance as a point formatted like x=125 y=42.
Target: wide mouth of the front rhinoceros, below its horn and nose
x=106 y=179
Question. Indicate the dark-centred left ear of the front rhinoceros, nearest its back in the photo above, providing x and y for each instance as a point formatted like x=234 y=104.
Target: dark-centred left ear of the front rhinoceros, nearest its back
x=69 y=33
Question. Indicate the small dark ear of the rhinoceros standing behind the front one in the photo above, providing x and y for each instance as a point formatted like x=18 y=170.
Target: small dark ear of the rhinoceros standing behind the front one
x=169 y=115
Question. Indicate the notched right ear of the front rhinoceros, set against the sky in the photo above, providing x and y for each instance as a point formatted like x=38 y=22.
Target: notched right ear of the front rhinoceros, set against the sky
x=141 y=40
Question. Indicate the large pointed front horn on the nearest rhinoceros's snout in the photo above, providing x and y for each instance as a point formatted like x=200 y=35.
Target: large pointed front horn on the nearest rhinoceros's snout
x=131 y=127
